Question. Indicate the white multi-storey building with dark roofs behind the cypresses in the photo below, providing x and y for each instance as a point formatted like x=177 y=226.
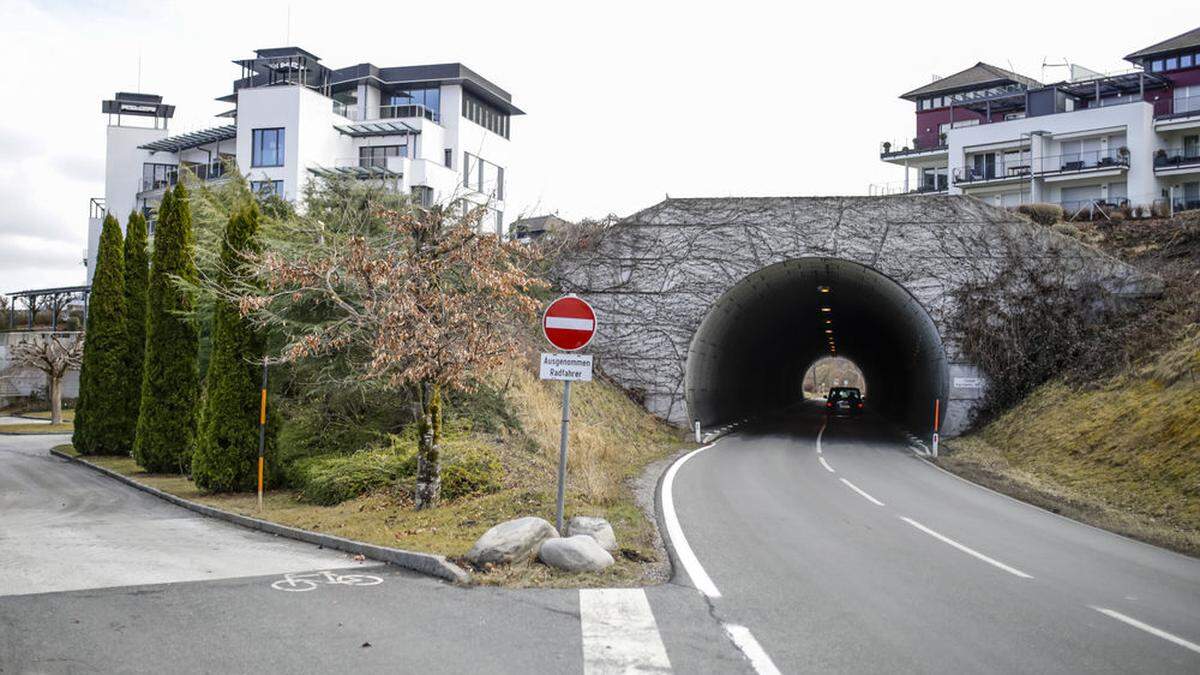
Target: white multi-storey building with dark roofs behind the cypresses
x=441 y=133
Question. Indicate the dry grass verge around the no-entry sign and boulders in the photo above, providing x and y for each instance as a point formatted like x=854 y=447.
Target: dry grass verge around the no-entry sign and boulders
x=613 y=439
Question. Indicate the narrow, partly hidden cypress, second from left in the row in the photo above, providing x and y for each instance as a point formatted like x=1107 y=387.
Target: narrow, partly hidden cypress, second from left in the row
x=137 y=278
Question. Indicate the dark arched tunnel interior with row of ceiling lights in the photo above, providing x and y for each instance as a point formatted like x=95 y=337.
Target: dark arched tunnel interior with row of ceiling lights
x=757 y=343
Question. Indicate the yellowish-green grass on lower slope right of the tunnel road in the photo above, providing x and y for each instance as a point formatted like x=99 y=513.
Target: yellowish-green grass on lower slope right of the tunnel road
x=1123 y=453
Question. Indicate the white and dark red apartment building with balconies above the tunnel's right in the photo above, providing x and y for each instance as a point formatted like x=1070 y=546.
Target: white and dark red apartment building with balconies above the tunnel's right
x=1130 y=139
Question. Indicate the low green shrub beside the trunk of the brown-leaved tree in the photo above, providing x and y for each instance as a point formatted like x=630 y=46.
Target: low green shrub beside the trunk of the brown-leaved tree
x=332 y=480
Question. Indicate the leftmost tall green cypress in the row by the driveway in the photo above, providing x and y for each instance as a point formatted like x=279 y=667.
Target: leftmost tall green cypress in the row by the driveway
x=101 y=426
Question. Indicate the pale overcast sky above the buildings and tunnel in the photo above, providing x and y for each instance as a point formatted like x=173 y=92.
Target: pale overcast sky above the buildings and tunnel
x=626 y=103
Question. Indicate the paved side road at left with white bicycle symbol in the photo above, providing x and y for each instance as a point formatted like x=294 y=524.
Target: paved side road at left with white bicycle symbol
x=97 y=577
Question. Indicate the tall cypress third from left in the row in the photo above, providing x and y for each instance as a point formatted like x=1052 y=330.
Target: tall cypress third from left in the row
x=166 y=432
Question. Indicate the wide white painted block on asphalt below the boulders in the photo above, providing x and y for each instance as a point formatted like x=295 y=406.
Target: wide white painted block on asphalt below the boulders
x=620 y=634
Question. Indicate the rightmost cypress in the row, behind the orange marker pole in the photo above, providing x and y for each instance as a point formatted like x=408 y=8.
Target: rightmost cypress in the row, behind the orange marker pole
x=227 y=447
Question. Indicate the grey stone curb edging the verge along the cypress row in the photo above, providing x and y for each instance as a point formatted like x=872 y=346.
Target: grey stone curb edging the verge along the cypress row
x=425 y=564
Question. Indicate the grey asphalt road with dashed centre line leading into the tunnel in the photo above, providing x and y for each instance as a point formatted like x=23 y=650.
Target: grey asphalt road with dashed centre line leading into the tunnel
x=863 y=558
